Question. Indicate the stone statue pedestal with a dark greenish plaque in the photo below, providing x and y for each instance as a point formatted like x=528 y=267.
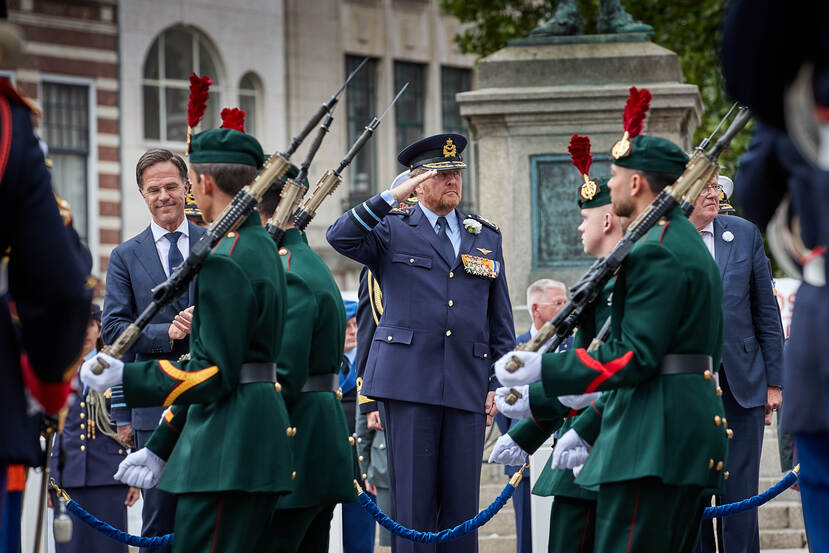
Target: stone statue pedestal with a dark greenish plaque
x=530 y=100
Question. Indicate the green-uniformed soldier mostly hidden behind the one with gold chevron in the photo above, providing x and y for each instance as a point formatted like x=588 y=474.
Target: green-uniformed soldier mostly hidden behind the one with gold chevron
x=309 y=362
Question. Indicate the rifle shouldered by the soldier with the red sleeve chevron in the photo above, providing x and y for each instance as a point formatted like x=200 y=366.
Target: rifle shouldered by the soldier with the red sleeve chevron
x=684 y=191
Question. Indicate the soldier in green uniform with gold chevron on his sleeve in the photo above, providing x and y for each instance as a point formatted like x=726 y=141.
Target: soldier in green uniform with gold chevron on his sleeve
x=233 y=456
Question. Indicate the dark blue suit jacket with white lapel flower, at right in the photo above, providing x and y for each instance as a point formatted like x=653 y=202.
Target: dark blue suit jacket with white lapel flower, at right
x=752 y=354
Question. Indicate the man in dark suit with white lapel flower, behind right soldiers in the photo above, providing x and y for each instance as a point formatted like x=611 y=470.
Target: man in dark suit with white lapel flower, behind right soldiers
x=752 y=359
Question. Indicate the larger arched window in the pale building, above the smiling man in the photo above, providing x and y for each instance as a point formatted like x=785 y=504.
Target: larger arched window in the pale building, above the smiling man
x=174 y=55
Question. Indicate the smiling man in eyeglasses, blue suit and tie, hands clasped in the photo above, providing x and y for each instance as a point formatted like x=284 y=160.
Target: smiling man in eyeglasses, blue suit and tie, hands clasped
x=135 y=268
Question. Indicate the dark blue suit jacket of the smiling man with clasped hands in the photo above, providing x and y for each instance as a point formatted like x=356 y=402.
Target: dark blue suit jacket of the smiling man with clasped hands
x=134 y=269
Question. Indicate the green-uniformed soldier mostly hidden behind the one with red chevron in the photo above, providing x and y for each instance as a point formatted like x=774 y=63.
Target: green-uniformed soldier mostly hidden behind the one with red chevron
x=573 y=514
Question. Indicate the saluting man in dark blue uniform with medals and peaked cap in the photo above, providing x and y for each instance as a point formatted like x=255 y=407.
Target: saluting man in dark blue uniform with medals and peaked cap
x=446 y=315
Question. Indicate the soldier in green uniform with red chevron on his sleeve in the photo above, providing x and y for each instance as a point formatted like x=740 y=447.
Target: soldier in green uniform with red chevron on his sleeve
x=662 y=445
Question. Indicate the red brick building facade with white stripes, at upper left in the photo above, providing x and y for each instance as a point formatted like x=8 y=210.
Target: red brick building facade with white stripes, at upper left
x=71 y=68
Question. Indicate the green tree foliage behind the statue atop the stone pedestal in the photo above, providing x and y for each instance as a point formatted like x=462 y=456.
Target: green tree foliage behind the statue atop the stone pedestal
x=691 y=28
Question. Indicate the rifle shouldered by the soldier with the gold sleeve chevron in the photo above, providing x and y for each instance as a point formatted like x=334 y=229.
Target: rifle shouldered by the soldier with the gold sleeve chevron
x=229 y=219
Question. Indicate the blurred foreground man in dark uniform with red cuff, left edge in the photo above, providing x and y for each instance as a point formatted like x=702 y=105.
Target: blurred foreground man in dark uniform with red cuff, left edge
x=45 y=302
